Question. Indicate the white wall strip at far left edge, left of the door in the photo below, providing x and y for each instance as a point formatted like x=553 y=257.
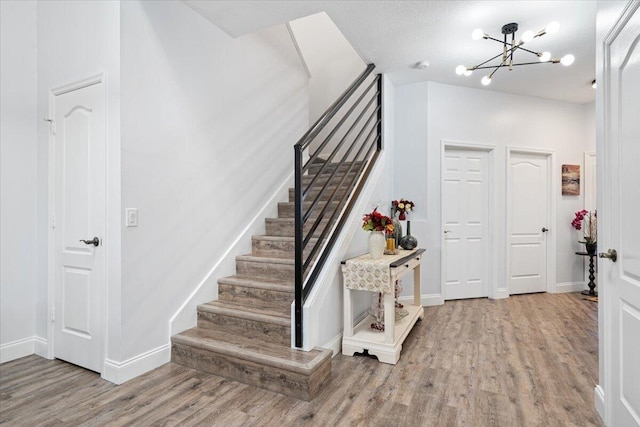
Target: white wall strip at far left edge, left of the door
x=17 y=178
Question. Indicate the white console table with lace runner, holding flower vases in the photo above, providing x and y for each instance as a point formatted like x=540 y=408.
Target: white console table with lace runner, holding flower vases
x=380 y=275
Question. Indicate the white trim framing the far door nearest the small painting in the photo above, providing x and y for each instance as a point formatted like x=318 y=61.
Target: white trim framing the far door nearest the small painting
x=553 y=190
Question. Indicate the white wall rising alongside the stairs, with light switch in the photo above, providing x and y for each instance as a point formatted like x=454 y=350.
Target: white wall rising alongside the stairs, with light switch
x=208 y=126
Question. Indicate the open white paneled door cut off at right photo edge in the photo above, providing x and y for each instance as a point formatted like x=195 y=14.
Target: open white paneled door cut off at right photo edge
x=620 y=228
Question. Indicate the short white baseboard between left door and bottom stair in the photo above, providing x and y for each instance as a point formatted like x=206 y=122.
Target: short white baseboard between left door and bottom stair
x=120 y=372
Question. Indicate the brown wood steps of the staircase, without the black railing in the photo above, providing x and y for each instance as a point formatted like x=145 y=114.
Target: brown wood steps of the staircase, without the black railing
x=246 y=334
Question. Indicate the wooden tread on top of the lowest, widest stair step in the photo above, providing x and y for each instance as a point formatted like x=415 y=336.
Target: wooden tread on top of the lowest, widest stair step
x=251 y=349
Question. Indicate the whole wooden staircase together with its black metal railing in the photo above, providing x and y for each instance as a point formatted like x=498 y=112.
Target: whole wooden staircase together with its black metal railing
x=245 y=335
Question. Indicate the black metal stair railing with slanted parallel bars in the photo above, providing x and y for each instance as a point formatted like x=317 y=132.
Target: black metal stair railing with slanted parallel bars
x=323 y=205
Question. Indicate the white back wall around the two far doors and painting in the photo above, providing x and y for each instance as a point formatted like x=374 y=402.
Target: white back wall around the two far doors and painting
x=428 y=113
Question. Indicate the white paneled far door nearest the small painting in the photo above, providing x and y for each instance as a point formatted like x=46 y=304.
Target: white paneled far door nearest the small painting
x=528 y=212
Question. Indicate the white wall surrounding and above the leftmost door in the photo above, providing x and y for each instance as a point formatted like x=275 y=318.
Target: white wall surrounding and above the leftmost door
x=77 y=39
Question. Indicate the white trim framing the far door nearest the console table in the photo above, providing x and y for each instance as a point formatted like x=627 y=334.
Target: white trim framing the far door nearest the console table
x=493 y=291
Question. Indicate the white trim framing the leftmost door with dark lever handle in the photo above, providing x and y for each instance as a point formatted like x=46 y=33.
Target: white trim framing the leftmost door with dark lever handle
x=60 y=90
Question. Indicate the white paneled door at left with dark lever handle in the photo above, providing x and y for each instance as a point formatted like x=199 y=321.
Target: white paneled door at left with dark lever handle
x=78 y=137
